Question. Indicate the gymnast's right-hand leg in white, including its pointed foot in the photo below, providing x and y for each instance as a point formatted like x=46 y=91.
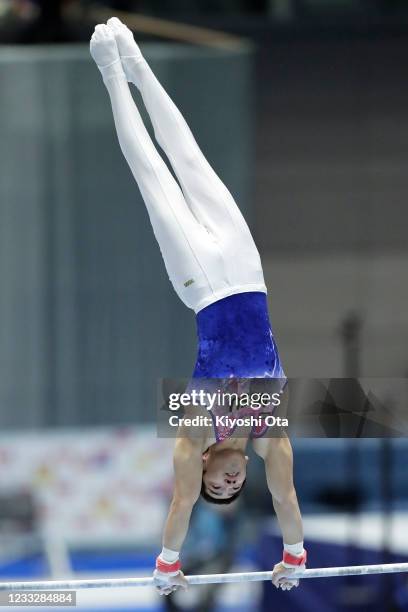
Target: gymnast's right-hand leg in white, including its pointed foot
x=207 y=196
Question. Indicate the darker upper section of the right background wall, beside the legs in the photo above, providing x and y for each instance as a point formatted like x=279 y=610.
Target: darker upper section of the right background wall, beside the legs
x=332 y=144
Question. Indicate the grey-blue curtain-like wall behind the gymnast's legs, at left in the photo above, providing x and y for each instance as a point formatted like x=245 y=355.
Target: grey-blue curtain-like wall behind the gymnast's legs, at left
x=88 y=319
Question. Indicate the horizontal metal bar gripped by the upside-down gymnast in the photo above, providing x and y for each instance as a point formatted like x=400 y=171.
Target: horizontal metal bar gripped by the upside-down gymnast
x=104 y=583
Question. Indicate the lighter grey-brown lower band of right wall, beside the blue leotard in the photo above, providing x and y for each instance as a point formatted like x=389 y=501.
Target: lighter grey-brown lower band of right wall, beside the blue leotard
x=310 y=297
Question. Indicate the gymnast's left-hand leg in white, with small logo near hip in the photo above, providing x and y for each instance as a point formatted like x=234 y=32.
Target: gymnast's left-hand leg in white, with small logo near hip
x=184 y=244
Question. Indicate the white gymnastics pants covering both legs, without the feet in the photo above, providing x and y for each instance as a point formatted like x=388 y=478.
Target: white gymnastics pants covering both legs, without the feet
x=206 y=245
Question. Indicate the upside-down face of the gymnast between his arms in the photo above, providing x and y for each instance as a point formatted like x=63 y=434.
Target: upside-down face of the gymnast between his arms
x=224 y=472
